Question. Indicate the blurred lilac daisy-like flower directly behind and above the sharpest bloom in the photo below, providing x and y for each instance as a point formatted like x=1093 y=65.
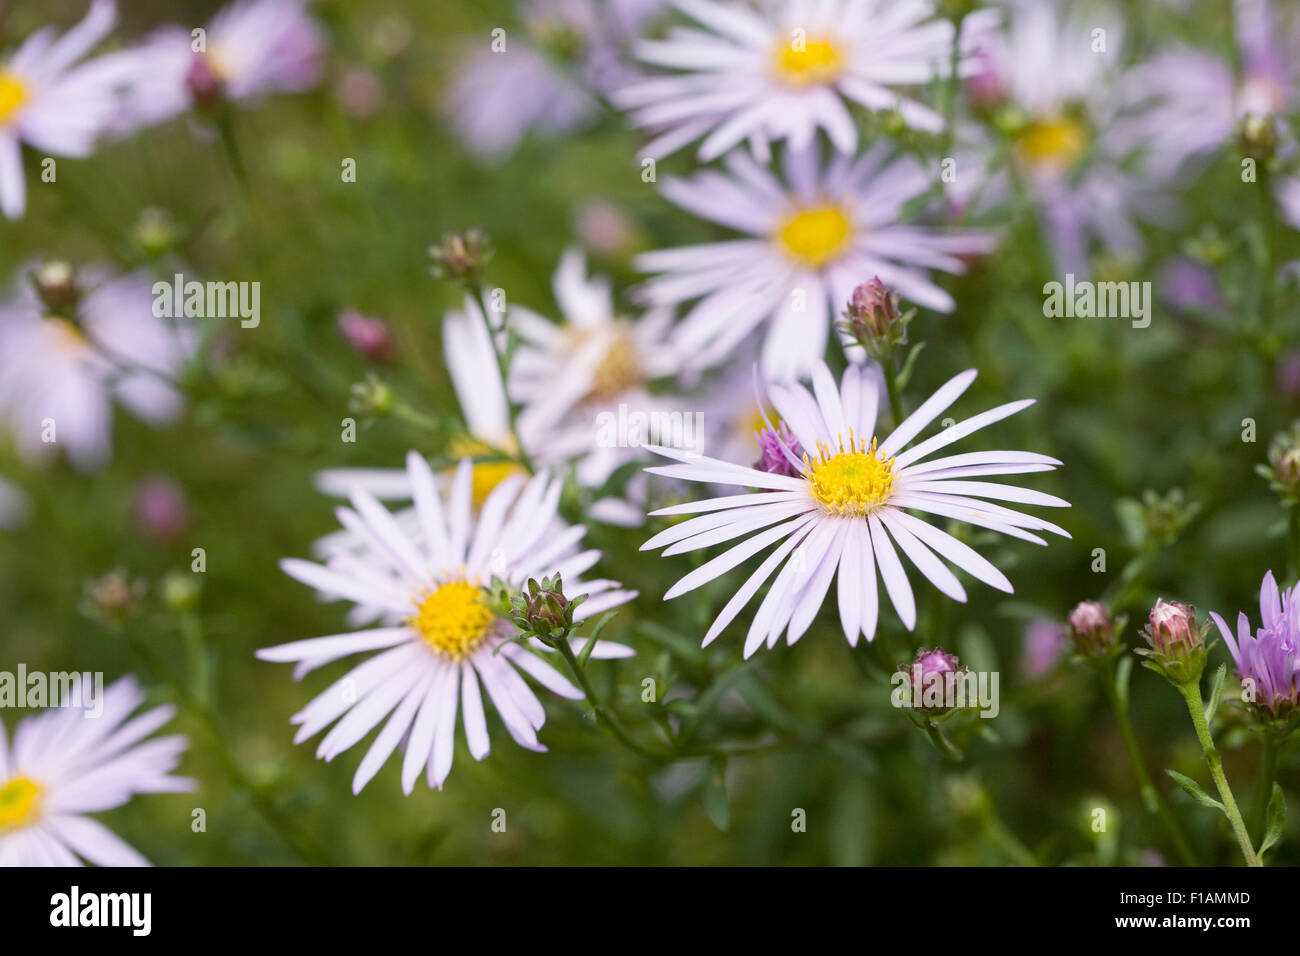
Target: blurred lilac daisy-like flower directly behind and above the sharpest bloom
x=811 y=241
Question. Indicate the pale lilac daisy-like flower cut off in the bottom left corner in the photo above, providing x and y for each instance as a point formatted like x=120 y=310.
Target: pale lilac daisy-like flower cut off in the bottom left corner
x=63 y=767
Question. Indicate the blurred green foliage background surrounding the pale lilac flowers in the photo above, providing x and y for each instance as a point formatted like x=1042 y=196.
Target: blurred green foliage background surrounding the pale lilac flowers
x=98 y=577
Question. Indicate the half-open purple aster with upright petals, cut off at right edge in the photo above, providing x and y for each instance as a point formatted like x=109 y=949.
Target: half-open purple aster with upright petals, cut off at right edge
x=1269 y=660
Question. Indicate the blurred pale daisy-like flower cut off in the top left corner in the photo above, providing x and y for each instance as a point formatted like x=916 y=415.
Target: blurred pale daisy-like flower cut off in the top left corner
x=51 y=103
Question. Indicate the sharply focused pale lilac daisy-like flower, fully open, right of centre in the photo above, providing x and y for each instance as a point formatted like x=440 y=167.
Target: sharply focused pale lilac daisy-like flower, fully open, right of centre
x=850 y=507
